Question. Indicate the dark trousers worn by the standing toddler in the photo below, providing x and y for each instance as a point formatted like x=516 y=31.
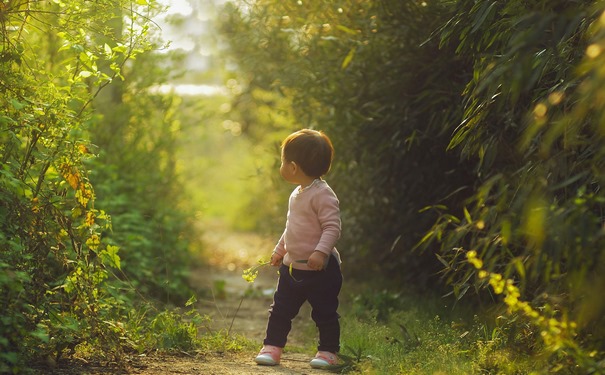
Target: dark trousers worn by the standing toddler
x=321 y=289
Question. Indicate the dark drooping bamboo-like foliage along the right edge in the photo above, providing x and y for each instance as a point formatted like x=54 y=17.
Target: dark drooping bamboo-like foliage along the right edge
x=536 y=215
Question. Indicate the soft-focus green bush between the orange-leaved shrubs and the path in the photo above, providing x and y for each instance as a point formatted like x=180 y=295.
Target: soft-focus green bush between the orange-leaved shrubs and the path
x=136 y=180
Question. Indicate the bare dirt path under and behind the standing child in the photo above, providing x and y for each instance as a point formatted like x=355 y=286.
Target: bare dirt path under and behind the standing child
x=234 y=305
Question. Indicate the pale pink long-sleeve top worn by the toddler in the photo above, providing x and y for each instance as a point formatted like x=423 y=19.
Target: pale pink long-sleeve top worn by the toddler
x=313 y=223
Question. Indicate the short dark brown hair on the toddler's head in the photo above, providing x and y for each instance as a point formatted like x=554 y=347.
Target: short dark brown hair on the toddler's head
x=311 y=150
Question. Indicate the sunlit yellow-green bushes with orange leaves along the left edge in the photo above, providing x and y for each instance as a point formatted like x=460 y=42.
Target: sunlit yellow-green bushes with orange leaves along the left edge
x=57 y=260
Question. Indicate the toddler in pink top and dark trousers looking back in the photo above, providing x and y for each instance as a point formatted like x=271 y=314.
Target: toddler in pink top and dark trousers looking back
x=310 y=264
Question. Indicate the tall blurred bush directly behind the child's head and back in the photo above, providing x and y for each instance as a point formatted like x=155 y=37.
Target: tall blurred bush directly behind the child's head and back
x=368 y=74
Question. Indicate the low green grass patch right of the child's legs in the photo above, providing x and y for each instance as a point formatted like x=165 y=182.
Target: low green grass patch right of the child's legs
x=389 y=333
